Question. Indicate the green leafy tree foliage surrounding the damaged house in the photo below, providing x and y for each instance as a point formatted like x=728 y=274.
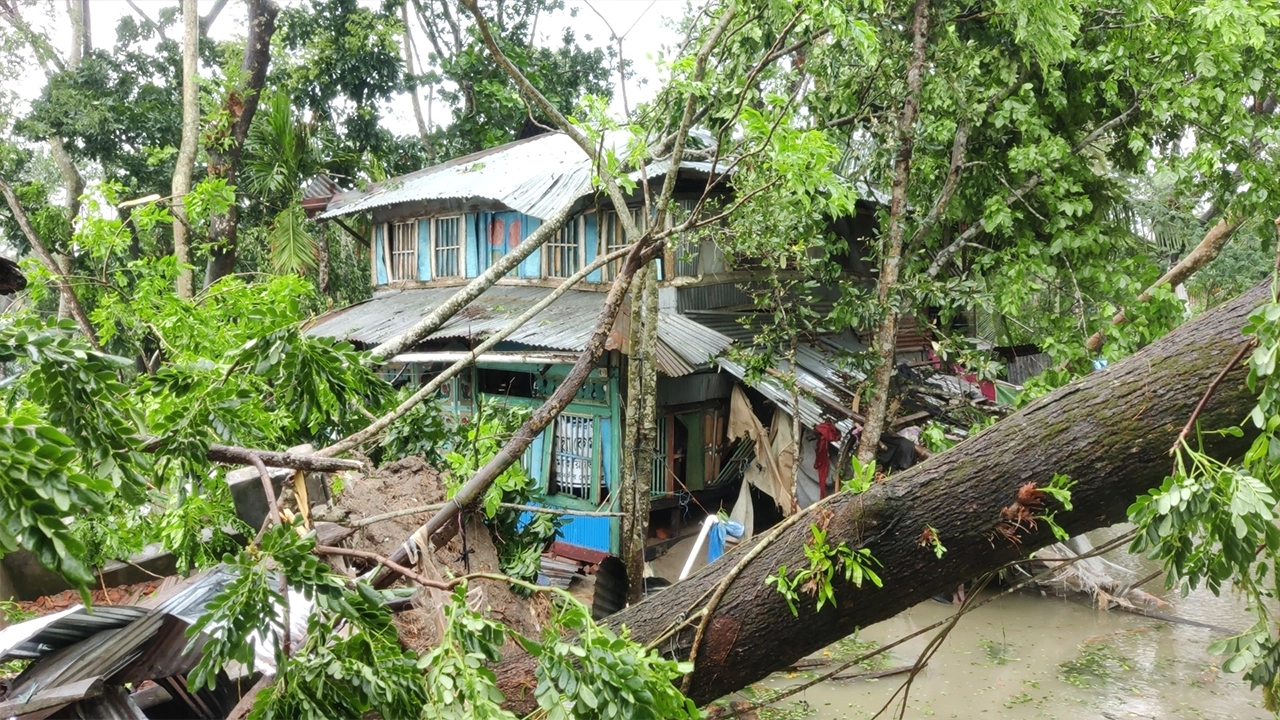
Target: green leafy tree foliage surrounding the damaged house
x=1035 y=168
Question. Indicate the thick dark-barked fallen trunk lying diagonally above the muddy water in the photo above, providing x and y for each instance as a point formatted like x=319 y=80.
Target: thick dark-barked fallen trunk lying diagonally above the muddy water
x=1110 y=432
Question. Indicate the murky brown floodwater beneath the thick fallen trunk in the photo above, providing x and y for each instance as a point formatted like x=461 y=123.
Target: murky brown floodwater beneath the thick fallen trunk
x=1028 y=657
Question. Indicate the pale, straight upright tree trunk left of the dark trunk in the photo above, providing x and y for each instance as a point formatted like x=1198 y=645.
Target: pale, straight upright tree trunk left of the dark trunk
x=186 y=166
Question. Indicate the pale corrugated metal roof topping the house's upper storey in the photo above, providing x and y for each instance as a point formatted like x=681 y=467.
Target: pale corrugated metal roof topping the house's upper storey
x=537 y=176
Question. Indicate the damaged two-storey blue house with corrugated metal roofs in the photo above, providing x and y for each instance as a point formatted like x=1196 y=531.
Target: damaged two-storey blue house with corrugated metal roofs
x=435 y=230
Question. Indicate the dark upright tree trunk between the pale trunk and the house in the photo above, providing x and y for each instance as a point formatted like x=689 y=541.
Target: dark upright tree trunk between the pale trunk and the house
x=226 y=147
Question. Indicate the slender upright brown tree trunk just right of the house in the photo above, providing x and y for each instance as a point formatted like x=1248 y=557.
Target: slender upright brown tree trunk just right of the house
x=886 y=336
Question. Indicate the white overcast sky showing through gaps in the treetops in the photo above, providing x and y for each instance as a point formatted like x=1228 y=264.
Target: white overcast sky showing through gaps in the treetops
x=643 y=24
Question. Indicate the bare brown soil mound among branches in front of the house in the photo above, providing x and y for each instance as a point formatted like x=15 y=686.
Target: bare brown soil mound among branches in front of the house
x=409 y=484
